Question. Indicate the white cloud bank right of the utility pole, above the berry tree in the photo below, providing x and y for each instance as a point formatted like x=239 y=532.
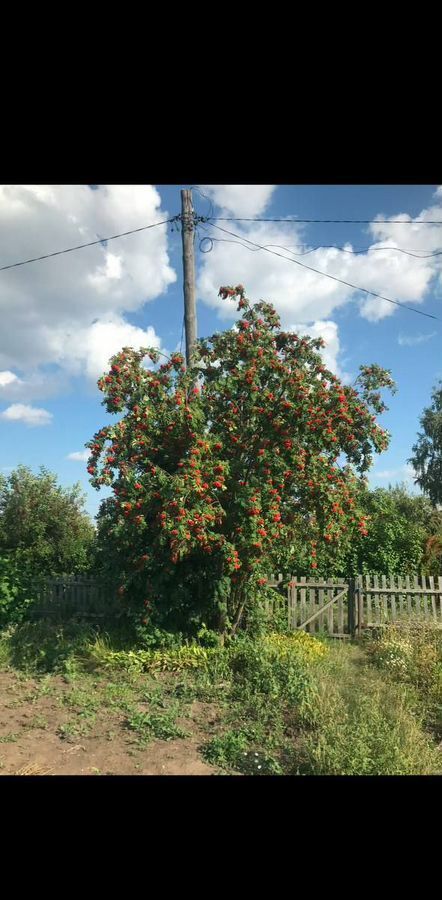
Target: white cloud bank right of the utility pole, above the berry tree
x=304 y=296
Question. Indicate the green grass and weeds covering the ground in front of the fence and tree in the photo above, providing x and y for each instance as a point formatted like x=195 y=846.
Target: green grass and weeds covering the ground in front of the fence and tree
x=275 y=704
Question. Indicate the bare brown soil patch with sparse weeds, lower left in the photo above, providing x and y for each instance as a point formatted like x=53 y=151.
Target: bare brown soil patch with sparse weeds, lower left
x=80 y=727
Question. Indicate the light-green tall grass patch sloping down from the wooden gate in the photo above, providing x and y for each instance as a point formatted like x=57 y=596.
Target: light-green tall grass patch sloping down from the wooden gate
x=362 y=724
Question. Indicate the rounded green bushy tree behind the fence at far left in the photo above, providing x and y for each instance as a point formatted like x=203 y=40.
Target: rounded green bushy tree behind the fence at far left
x=44 y=531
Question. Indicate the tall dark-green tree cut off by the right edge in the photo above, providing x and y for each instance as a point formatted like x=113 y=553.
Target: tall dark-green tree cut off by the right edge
x=427 y=452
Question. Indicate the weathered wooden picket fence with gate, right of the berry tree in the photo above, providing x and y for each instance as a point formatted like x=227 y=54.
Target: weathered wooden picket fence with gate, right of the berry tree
x=344 y=608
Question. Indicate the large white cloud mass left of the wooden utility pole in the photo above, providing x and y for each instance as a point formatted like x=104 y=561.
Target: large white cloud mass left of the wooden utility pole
x=57 y=310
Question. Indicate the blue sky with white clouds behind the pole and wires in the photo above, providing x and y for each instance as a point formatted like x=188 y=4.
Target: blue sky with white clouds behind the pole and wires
x=63 y=317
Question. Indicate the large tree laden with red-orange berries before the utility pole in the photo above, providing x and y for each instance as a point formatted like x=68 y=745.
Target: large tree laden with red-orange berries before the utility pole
x=212 y=467
